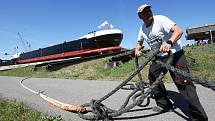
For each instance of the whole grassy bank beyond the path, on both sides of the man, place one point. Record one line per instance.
(95, 69)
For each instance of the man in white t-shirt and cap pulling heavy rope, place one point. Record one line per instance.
(164, 35)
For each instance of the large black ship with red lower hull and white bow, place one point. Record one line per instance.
(93, 43)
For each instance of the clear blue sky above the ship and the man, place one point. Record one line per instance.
(47, 22)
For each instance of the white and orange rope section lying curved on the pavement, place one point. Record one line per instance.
(64, 106)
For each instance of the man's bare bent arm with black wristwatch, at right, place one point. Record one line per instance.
(176, 35)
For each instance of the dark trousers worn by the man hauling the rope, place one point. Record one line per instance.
(184, 85)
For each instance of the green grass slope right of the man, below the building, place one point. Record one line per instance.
(205, 61)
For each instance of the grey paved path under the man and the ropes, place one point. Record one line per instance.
(78, 92)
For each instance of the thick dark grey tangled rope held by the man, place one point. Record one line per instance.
(138, 101)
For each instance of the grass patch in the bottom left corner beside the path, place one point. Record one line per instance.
(17, 111)
